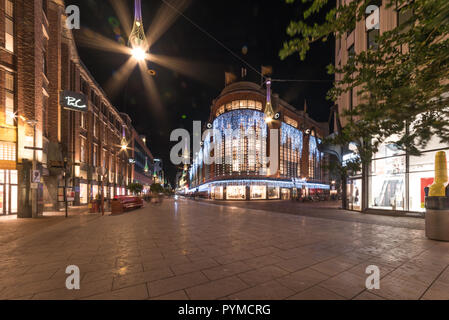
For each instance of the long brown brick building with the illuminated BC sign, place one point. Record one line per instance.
(39, 136)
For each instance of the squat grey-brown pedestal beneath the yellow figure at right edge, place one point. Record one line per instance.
(437, 218)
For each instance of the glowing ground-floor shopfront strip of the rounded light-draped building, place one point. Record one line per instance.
(260, 190)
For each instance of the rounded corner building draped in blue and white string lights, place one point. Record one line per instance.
(241, 172)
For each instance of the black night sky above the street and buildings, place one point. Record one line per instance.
(258, 25)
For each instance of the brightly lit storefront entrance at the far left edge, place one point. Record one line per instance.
(8, 192)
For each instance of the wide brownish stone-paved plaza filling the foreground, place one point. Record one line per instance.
(199, 250)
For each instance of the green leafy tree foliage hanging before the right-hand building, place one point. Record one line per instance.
(402, 82)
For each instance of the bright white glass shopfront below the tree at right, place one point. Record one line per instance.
(395, 181)
